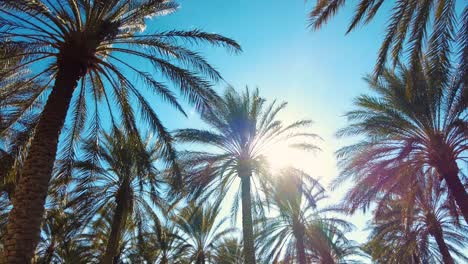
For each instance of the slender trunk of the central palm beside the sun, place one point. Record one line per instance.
(247, 226)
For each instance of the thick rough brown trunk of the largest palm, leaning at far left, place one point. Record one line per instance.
(23, 229)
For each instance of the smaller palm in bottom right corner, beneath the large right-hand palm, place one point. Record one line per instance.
(410, 214)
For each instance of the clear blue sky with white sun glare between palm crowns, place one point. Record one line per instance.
(317, 73)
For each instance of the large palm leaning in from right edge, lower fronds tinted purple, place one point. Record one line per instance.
(406, 126)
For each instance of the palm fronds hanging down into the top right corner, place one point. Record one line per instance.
(410, 24)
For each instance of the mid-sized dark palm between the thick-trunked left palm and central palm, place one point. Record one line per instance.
(127, 184)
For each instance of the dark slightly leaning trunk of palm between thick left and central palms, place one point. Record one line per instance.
(118, 223)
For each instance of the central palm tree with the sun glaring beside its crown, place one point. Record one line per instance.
(242, 128)
